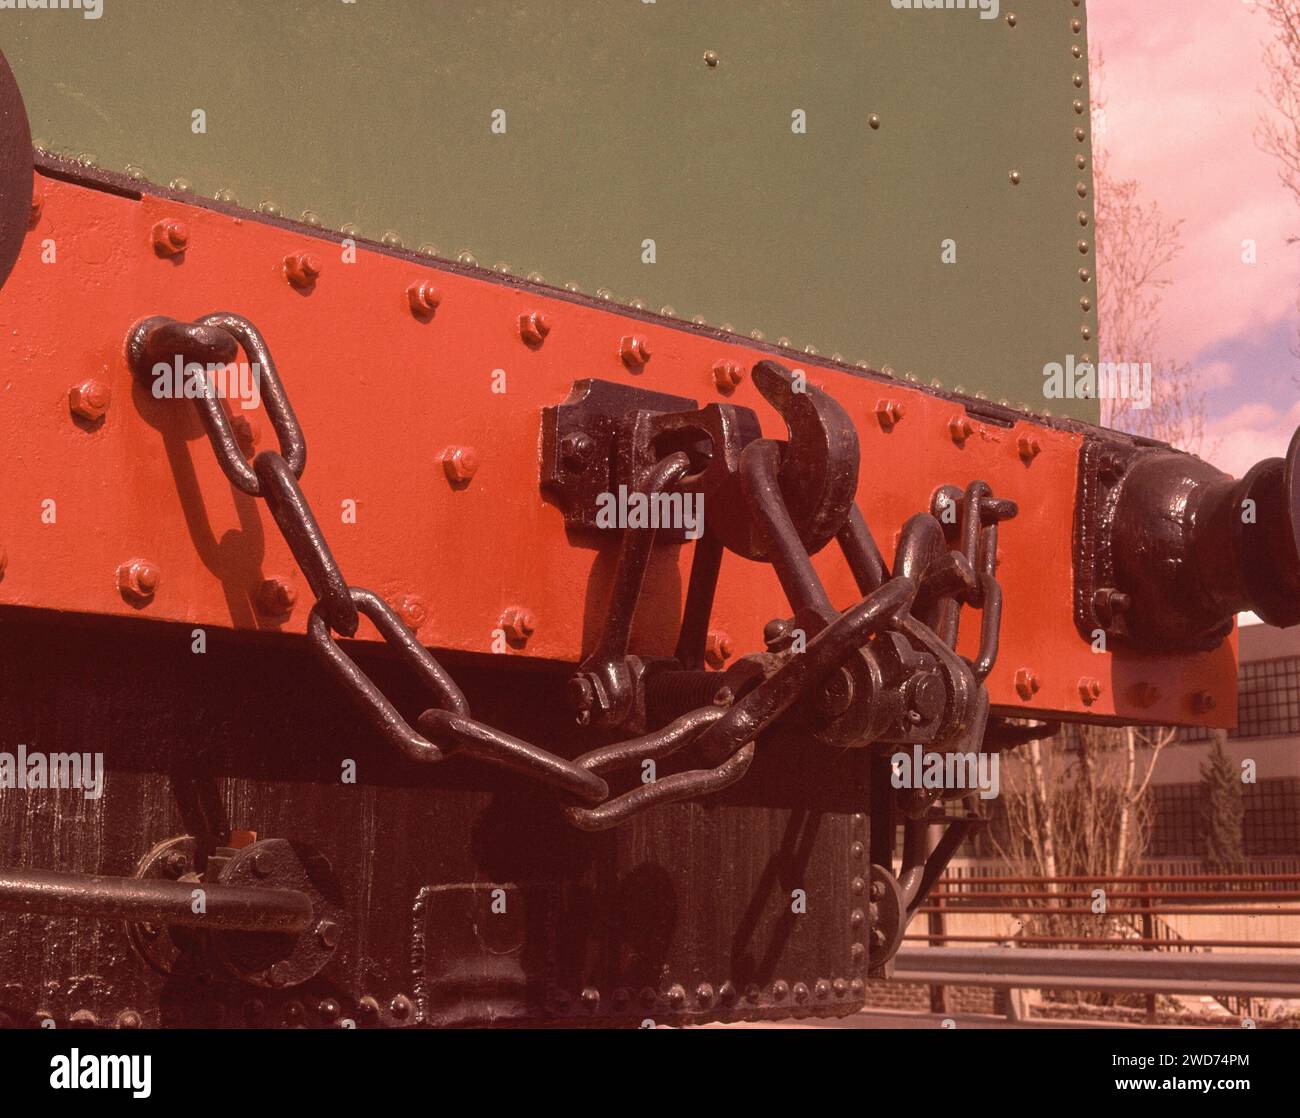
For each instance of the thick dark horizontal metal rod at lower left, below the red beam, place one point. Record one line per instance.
(226, 908)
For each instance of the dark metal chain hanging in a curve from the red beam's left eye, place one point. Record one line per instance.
(275, 478)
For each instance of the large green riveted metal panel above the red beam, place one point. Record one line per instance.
(619, 131)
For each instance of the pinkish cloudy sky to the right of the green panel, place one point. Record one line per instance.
(1185, 89)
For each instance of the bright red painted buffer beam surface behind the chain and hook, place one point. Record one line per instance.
(382, 395)
